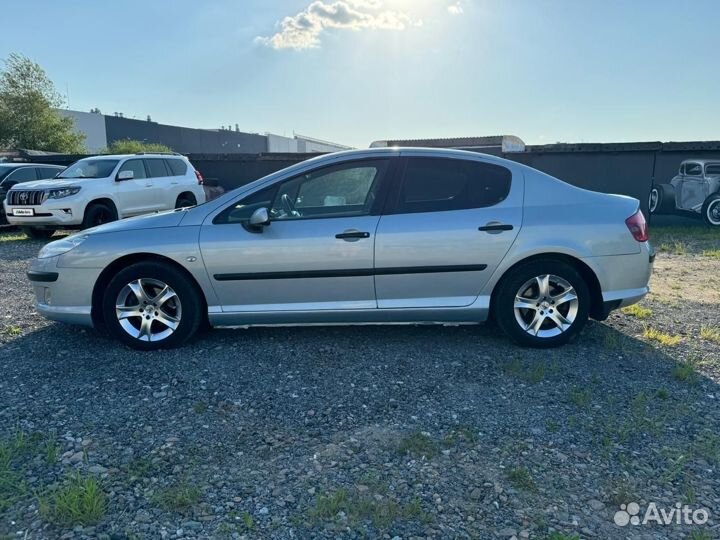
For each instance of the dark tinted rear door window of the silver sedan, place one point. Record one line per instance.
(437, 185)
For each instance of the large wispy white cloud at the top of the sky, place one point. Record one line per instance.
(303, 30)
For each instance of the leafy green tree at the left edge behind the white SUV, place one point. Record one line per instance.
(28, 115)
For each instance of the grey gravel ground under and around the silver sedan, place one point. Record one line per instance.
(379, 432)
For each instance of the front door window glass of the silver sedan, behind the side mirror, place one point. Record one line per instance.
(344, 190)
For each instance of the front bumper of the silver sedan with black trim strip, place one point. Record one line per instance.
(63, 294)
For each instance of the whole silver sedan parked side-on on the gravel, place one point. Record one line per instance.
(360, 237)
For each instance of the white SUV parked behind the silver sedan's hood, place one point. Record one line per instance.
(96, 190)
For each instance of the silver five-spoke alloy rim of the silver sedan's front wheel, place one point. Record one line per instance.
(148, 309)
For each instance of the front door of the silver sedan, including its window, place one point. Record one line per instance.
(317, 251)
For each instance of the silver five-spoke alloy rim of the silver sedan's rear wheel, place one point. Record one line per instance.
(546, 306)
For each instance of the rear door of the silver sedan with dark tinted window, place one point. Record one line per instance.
(449, 224)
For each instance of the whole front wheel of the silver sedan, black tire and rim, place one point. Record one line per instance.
(151, 305)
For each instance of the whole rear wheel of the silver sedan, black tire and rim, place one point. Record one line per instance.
(557, 301)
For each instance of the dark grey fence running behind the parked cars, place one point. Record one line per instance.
(624, 168)
